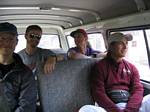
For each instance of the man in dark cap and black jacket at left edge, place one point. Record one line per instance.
(17, 84)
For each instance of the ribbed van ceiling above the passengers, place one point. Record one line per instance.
(67, 13)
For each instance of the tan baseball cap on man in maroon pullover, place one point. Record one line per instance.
(115, 37)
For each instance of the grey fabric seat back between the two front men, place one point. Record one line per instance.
(67, 88)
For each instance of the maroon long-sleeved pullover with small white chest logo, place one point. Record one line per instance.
(109, 75)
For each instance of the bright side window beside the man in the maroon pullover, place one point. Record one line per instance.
(137, 53)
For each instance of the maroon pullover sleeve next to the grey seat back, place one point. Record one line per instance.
(98, 90)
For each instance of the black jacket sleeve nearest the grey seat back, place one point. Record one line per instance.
(28, 93)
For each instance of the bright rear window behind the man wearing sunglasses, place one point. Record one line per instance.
(46, 42)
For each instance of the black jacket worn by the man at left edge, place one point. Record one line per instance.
(18, 90)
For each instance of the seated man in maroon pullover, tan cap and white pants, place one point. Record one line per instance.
(115, 82)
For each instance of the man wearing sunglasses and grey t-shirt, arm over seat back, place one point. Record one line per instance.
(32, 54)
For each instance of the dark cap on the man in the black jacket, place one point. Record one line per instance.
(8, 27)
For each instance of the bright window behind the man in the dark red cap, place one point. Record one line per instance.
(95, 39)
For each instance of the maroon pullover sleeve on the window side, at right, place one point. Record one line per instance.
(136, 90)
